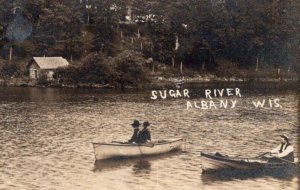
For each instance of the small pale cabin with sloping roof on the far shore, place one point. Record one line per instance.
(39, 66)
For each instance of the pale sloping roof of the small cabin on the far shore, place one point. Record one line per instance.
(50, 62)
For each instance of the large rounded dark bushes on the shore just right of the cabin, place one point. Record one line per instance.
(127, 69)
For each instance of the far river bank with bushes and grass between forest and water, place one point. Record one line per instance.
(130, 69)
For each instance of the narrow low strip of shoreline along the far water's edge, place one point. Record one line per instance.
(156, 82)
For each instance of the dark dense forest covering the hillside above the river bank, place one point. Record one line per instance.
(240, 31)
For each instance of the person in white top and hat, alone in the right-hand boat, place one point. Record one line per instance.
(283, 152)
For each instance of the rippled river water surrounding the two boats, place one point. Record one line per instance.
(46, 137)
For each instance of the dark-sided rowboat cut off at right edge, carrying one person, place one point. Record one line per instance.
(212, 162)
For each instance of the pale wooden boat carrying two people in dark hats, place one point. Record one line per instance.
(118, 150)
